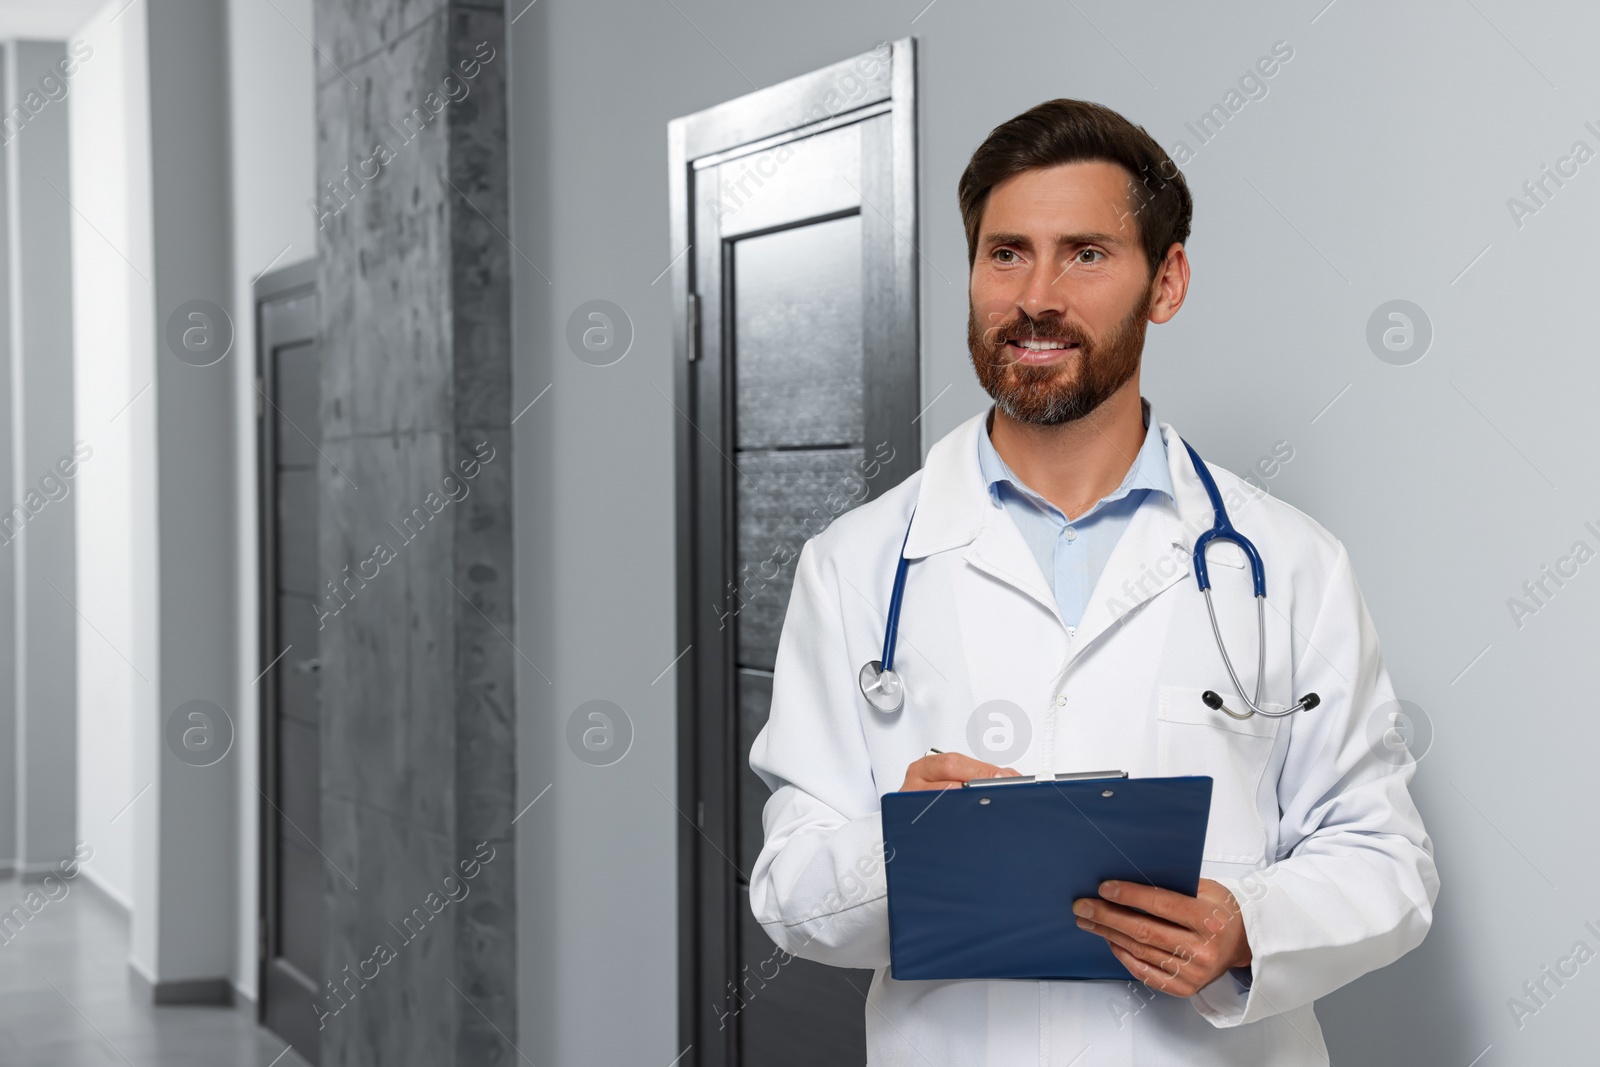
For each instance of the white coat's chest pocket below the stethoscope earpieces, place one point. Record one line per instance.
(1196, 740)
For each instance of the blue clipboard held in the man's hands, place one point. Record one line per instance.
(982, 879)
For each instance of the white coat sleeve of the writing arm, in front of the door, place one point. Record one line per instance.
(818, 887)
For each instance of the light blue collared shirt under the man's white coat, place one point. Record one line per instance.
(1073, 554)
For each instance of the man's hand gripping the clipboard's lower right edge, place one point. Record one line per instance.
(1174, 943)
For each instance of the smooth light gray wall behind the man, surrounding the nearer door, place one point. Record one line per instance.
(1377, 167)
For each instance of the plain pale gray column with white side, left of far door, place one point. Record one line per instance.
(185, 857)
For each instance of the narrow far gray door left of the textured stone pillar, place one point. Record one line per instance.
(292, 868)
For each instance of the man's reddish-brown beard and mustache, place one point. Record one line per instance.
(1065, 391)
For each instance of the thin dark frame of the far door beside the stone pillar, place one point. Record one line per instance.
(282, 284)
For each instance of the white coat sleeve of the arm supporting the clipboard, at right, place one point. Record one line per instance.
(1358, 884)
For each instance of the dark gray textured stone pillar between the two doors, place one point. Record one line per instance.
(420, 665)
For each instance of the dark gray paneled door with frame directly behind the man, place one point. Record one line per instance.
(802, 388)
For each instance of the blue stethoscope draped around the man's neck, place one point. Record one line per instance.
(884, 689)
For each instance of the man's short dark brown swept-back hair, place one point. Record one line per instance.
(1074, 132)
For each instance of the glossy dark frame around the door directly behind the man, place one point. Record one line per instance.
(705, 794)
